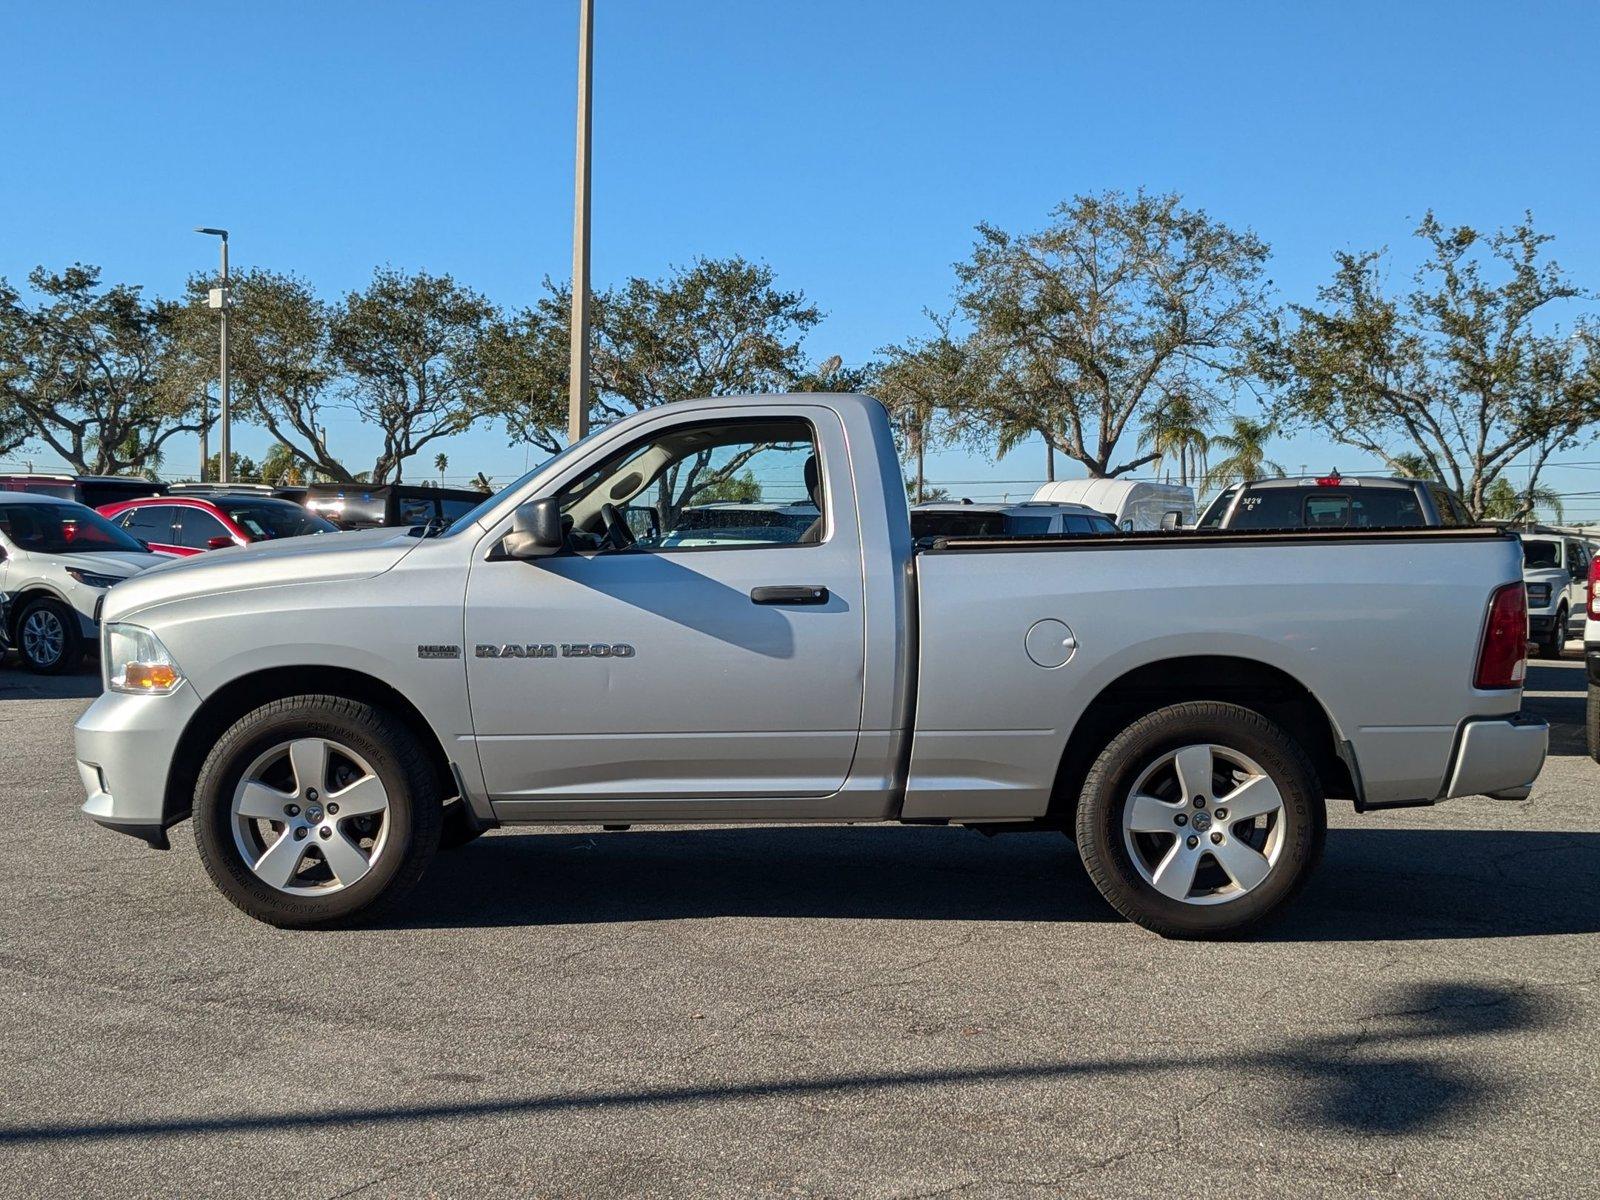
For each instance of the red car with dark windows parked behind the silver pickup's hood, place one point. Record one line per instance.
(191, 524)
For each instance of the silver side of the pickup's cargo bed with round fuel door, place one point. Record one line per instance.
(1378, 628)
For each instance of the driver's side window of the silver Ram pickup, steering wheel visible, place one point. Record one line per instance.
(719, 486)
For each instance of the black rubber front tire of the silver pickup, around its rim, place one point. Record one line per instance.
(396, 759)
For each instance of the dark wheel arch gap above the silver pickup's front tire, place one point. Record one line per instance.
(231, 702)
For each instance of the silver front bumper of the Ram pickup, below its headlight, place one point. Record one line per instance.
(126, 750)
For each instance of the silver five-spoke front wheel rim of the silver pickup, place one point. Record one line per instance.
(311, 817)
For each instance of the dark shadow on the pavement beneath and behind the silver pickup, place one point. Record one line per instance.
(1374, 884)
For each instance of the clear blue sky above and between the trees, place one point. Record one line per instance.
(854, 146)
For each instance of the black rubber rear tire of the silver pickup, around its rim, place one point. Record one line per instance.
(1106, 790)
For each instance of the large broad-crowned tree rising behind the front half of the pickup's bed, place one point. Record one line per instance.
(1118, 308)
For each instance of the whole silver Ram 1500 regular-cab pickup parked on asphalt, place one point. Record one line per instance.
(591, 647)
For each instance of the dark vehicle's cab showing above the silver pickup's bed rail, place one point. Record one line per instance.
(1335, 502)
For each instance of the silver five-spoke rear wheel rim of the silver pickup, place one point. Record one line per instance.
(1204, 825)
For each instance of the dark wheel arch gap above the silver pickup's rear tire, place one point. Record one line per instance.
(1246, 682)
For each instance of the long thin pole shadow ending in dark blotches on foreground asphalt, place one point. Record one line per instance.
(1394, 1070)
